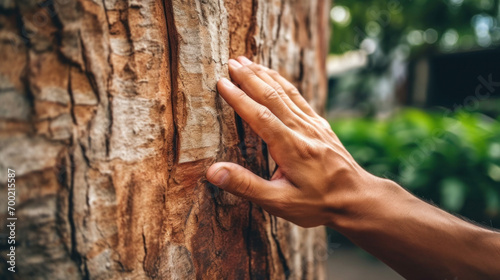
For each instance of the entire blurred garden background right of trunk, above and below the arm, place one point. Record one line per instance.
(414, 95)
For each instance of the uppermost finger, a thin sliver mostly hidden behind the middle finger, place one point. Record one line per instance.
(261, 72)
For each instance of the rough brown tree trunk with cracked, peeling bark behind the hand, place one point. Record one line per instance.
(110, 116)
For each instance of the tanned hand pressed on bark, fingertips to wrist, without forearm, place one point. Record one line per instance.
(316, 177)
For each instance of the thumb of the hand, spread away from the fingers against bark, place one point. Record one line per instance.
(239, 181)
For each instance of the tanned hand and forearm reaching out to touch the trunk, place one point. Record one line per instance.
(319, 183)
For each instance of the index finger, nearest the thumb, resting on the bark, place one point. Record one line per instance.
(260, 118)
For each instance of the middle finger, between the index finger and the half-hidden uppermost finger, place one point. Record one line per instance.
(259, 90)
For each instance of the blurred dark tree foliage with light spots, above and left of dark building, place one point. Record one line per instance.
(397, 33)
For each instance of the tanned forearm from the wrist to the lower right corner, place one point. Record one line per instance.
(417, 239)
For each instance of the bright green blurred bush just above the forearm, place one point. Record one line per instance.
(451, 159)
